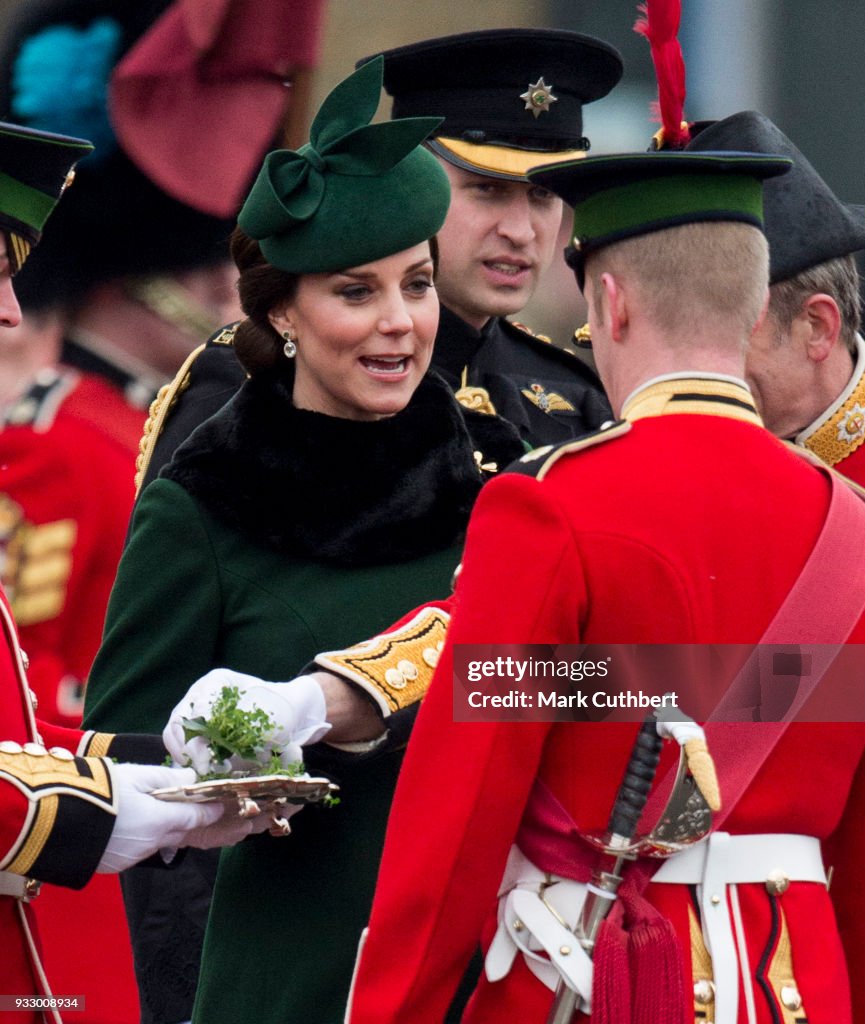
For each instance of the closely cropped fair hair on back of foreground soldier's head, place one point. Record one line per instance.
(715, 272)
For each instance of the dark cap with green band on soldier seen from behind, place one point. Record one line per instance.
(624, 196)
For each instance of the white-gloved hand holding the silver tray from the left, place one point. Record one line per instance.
(145, 825)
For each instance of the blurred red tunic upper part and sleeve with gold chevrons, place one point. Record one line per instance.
(67, 489)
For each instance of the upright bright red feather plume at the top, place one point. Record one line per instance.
(661, 27)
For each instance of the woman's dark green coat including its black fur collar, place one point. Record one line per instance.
(274, 535)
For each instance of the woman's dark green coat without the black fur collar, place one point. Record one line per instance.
(287, 914)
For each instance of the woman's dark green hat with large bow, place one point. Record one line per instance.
(356, 193)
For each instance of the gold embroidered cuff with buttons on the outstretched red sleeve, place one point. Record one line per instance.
(395, 669)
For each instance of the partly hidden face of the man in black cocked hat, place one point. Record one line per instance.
(781, 376)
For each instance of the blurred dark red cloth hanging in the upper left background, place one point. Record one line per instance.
(204, 94)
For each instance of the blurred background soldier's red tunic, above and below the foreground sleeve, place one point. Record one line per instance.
(67, 485)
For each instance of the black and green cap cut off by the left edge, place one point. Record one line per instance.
(35, 168)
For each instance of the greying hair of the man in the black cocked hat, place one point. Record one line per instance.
(838, 278)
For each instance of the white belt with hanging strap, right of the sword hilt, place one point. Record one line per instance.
(729, 861)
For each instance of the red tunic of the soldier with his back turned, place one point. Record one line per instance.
(688, 528)
